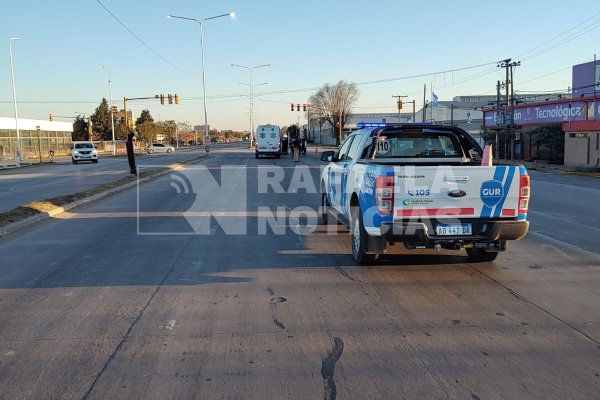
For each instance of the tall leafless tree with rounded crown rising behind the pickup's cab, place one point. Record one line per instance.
(333, 103)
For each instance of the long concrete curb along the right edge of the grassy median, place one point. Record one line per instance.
(14, 226)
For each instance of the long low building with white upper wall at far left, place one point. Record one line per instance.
(53, 135)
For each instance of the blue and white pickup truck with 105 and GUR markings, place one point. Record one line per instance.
(422, 185)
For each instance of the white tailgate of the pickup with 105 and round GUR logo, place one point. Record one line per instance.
(456, 192)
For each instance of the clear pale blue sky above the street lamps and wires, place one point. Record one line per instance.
(58, 64)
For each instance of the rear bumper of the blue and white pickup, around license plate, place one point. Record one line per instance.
(482, 231)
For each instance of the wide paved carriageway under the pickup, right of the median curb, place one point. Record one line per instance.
(255, 303)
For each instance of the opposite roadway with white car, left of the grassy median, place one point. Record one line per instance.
(21, 186)
